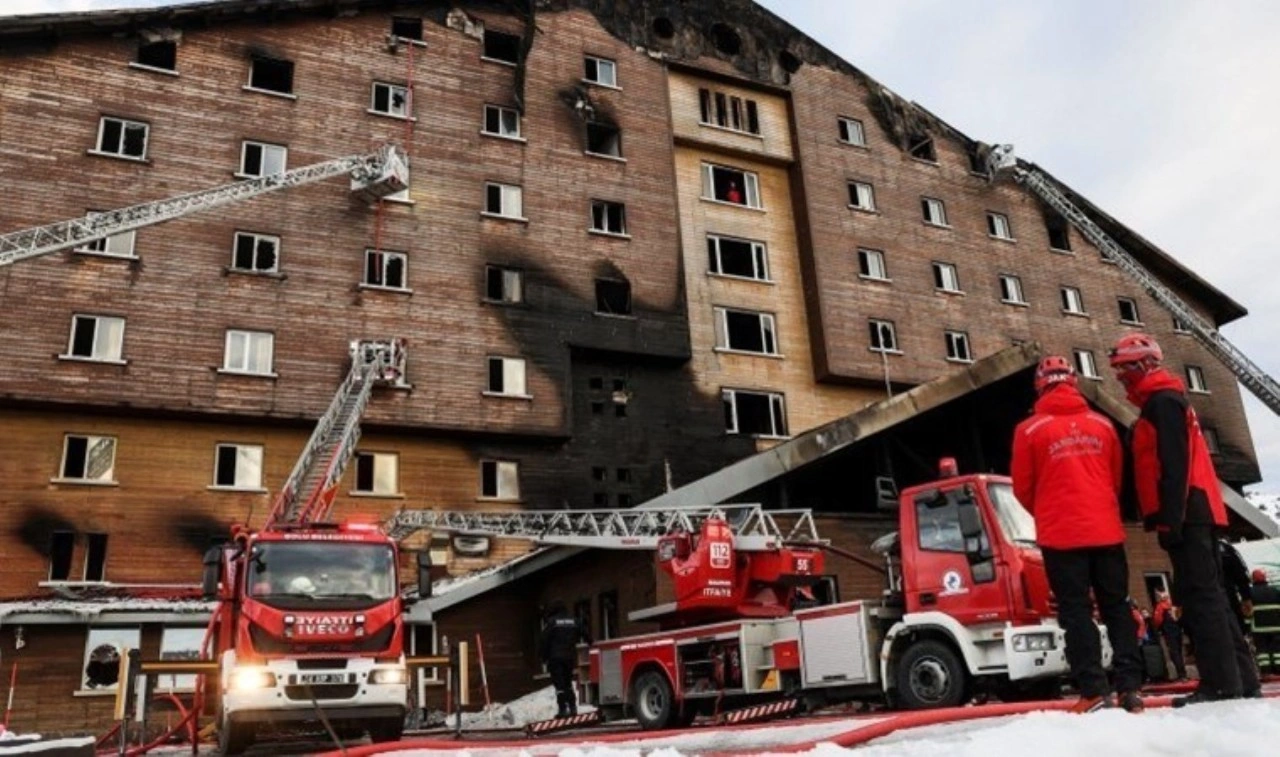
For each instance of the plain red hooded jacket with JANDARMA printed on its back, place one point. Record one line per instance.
(1068, 468)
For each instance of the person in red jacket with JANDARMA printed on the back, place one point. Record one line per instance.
(1068, 467)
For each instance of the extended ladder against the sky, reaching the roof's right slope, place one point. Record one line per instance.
(1249, 373)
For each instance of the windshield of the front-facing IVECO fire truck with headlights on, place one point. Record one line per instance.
(322, 574)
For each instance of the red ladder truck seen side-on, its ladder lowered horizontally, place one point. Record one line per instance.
(966, 606)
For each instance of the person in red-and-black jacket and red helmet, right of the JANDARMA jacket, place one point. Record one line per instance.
(1180, 499)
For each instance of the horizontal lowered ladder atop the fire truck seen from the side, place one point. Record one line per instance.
(755, 528)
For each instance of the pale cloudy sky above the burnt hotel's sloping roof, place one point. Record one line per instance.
(1162, 112)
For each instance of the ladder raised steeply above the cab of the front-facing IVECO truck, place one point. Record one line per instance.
(308, 494)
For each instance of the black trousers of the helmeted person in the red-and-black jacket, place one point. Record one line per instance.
(1222, 654)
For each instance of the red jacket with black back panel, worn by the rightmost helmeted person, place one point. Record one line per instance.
(1173, 473)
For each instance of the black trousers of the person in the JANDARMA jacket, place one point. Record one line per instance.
(1104, 571)
